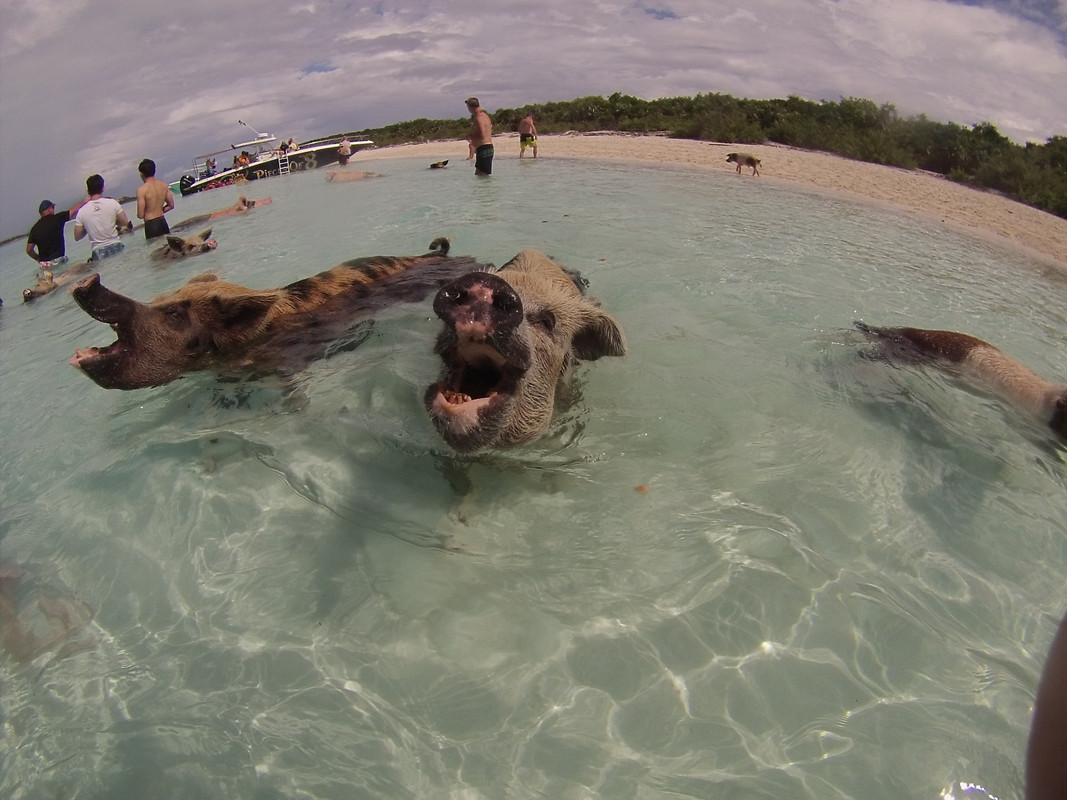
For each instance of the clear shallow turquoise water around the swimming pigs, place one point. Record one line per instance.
(840, 582)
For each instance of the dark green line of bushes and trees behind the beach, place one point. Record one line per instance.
(978, 156)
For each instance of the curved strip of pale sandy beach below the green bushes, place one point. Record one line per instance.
(978, 213)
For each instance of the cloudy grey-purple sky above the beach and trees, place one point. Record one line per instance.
(95, 87)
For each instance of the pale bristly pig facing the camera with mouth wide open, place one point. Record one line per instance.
(507, 346)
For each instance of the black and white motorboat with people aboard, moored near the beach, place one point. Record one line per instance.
(261, 158)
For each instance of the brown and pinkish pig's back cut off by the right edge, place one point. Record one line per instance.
(980, 364)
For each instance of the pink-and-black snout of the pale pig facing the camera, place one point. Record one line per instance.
(480, 306)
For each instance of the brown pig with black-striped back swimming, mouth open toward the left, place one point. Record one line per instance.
(213, 325)
